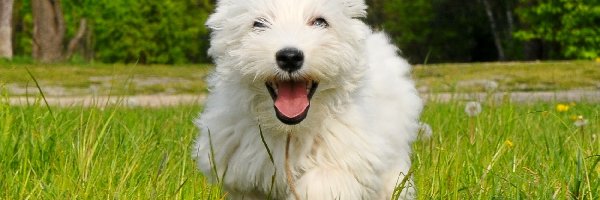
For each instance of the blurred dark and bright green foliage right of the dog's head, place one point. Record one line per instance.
(459, 30)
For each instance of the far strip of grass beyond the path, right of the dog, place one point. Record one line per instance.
(511, 76)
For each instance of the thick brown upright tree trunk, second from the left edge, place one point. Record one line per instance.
(48, 30)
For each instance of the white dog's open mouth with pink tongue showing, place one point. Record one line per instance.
(292, 99)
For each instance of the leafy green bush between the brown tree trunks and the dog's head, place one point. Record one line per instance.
(149, 31)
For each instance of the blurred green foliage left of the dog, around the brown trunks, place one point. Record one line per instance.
(130, 31)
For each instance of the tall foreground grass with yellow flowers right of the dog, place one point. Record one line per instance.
(520, 152)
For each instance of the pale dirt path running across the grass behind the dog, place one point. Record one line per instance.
(172, 100)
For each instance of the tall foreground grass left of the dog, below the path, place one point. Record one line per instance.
(93, 153)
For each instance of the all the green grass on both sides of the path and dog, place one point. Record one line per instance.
(520, 151)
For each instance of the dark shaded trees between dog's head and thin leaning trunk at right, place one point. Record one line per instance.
(431, 31)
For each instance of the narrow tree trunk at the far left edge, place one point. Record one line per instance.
(6, 8)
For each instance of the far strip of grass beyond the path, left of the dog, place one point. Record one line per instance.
(104, 79)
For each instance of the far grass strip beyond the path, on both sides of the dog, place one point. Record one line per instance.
(102, 79)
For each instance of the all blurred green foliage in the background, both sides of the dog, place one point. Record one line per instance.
(426, 31)
